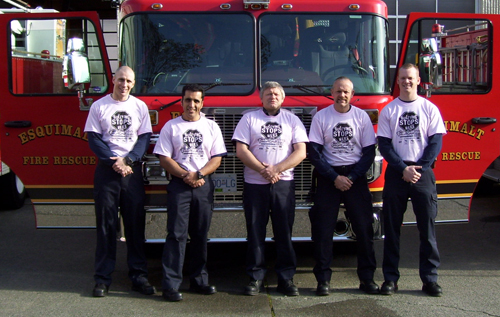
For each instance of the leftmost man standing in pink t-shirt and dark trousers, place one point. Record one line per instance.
(119, 129)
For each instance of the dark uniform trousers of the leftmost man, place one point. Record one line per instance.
(111, 190)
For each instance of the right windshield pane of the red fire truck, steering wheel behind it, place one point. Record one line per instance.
(306, 52)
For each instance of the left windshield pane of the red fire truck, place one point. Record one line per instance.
(169, 50)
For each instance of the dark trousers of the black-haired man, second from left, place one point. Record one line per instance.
(189, 212)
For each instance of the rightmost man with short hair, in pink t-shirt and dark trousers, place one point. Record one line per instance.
(410, 132)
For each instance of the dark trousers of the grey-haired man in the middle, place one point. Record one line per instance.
(278, 202)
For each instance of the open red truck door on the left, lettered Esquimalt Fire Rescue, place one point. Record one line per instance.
(42, 122)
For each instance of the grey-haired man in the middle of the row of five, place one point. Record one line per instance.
(270, 142)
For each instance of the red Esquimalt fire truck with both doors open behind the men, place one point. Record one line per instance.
(231, 48)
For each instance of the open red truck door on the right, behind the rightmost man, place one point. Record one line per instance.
(457, 70)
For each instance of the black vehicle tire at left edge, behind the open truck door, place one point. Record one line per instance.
(12, 192)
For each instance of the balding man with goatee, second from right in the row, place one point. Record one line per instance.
(342, 148)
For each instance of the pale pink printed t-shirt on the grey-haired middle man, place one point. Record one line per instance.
(270, 139)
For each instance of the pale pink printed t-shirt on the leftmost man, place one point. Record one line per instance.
(119, 122)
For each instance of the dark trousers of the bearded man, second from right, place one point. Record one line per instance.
(323, 216)
